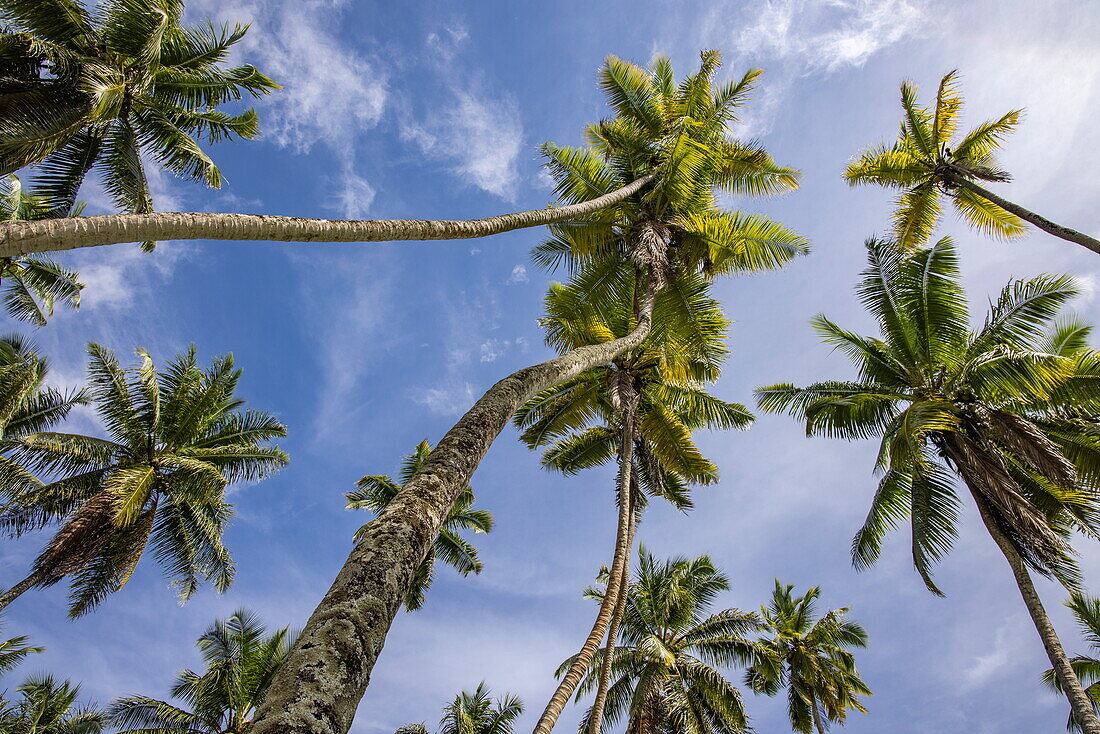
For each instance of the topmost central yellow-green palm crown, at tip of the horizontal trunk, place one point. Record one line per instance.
(680, 135)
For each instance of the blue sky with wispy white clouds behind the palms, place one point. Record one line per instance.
(436, 111)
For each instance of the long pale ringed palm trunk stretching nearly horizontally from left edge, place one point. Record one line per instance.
(70, 234)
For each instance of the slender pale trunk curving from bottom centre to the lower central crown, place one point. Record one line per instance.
(624, 541)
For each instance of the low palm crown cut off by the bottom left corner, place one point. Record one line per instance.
(49, 707)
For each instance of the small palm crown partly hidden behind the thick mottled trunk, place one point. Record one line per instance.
(377, 491)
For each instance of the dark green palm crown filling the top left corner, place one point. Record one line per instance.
(105, 89)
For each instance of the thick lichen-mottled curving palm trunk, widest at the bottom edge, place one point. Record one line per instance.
(318, 688)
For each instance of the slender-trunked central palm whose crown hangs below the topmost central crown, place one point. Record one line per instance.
(643, 407)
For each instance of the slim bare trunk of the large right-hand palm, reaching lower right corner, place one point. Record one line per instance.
(1079, 700)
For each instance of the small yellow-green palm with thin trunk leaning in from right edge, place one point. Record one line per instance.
(927, 166)
